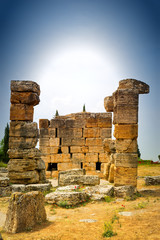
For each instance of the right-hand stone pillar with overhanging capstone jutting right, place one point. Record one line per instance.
(124, 104)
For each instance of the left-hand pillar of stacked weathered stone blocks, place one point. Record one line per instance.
(25, 165)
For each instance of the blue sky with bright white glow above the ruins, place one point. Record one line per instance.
(78, 50)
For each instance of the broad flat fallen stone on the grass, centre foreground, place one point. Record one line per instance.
(67, 198)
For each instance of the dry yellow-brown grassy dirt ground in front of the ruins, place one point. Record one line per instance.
(65, 224)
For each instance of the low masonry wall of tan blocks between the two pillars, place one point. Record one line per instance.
(75, 141)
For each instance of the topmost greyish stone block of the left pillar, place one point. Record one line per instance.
(25, 86)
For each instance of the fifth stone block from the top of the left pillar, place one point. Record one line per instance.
(22, 142)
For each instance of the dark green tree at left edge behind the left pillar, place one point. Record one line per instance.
(4, 145)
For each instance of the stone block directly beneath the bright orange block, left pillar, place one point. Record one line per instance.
(23, 129)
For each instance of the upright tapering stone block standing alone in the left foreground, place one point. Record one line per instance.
(25, 211)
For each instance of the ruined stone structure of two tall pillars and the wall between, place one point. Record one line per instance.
(75, 141)
